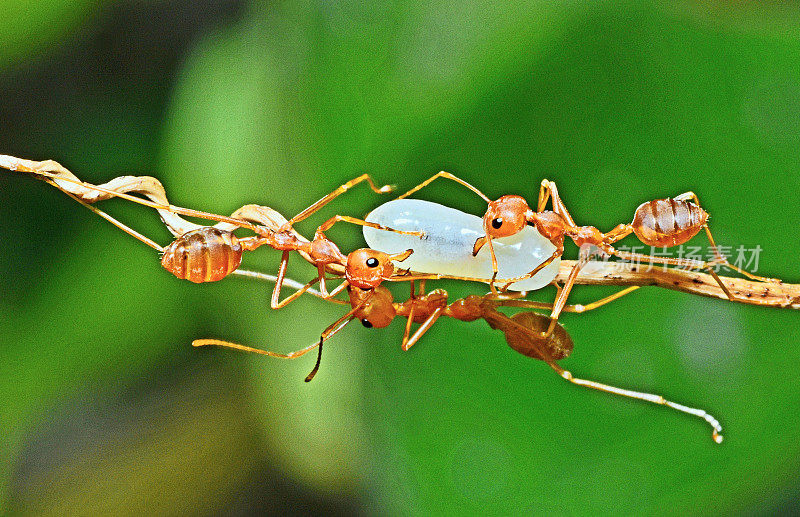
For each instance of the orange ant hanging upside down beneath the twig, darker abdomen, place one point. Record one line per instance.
(525, 332)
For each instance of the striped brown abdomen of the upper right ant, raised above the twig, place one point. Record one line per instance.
(668, 222)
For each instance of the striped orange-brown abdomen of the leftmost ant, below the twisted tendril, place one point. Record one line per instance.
(207, 254)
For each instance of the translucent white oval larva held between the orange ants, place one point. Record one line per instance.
(449, 238)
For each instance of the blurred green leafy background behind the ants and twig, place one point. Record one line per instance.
(107, 409)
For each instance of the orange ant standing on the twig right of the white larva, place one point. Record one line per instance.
(663, 222)
